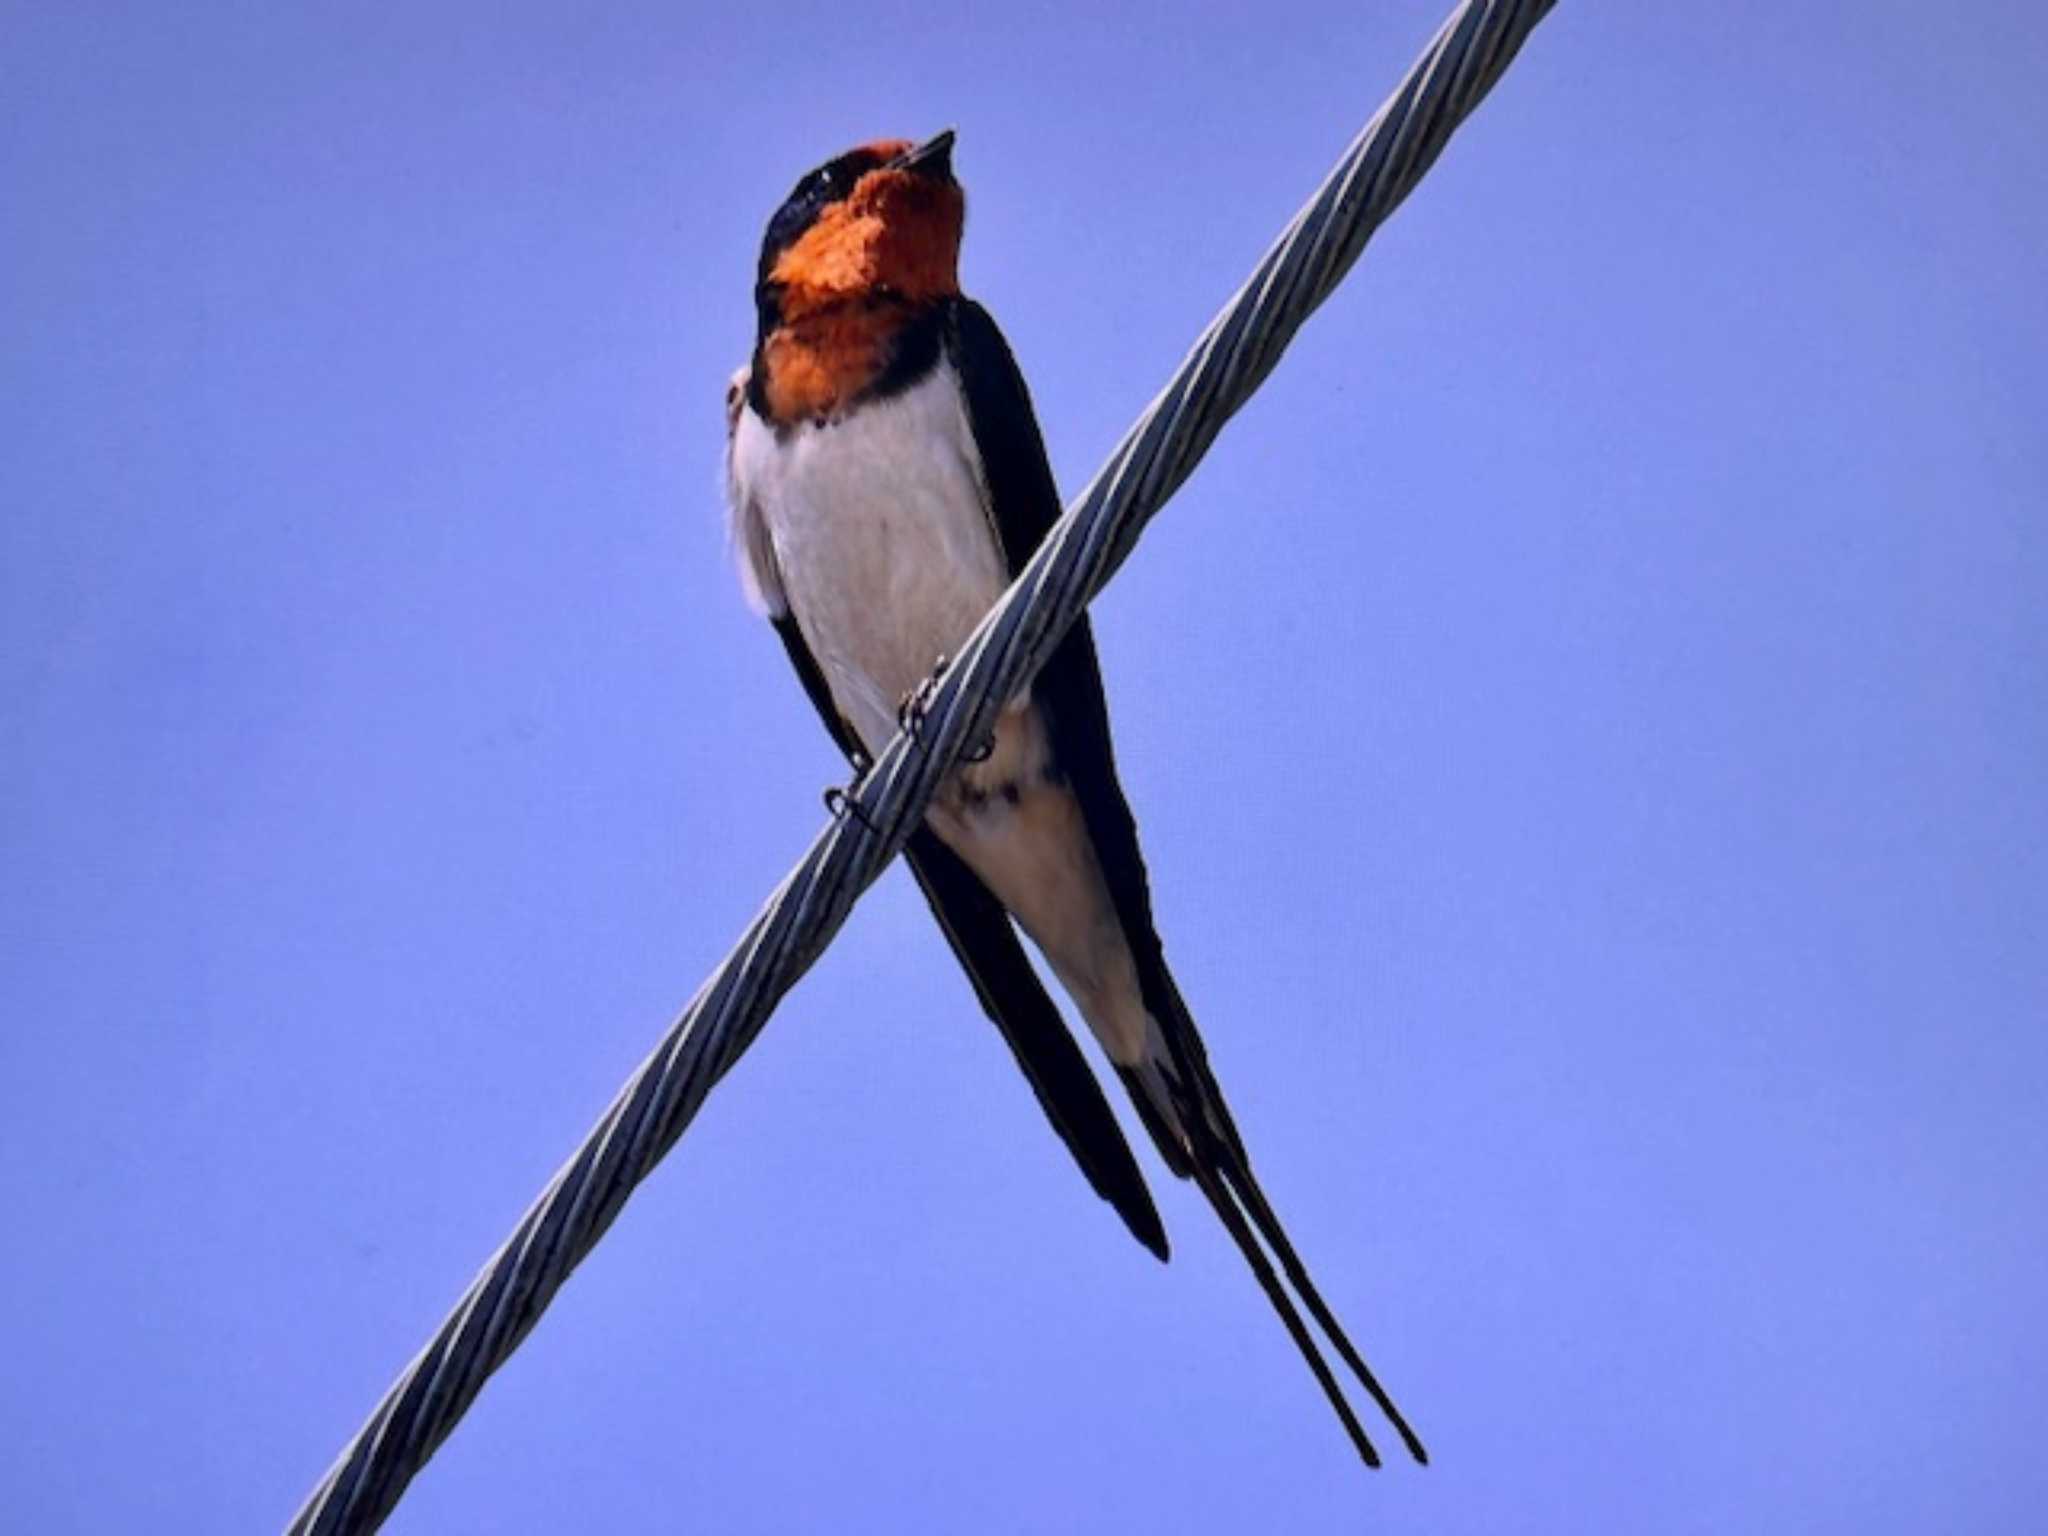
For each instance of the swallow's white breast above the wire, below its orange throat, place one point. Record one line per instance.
(882, 540)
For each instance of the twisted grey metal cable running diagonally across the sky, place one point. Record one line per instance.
(1078, 558)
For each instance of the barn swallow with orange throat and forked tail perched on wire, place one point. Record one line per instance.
(888, 482)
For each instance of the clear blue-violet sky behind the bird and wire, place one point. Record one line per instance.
(1588, 720)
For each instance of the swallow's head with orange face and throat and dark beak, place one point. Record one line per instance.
(882, 222)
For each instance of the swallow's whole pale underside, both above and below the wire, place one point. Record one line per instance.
(886, 554)
